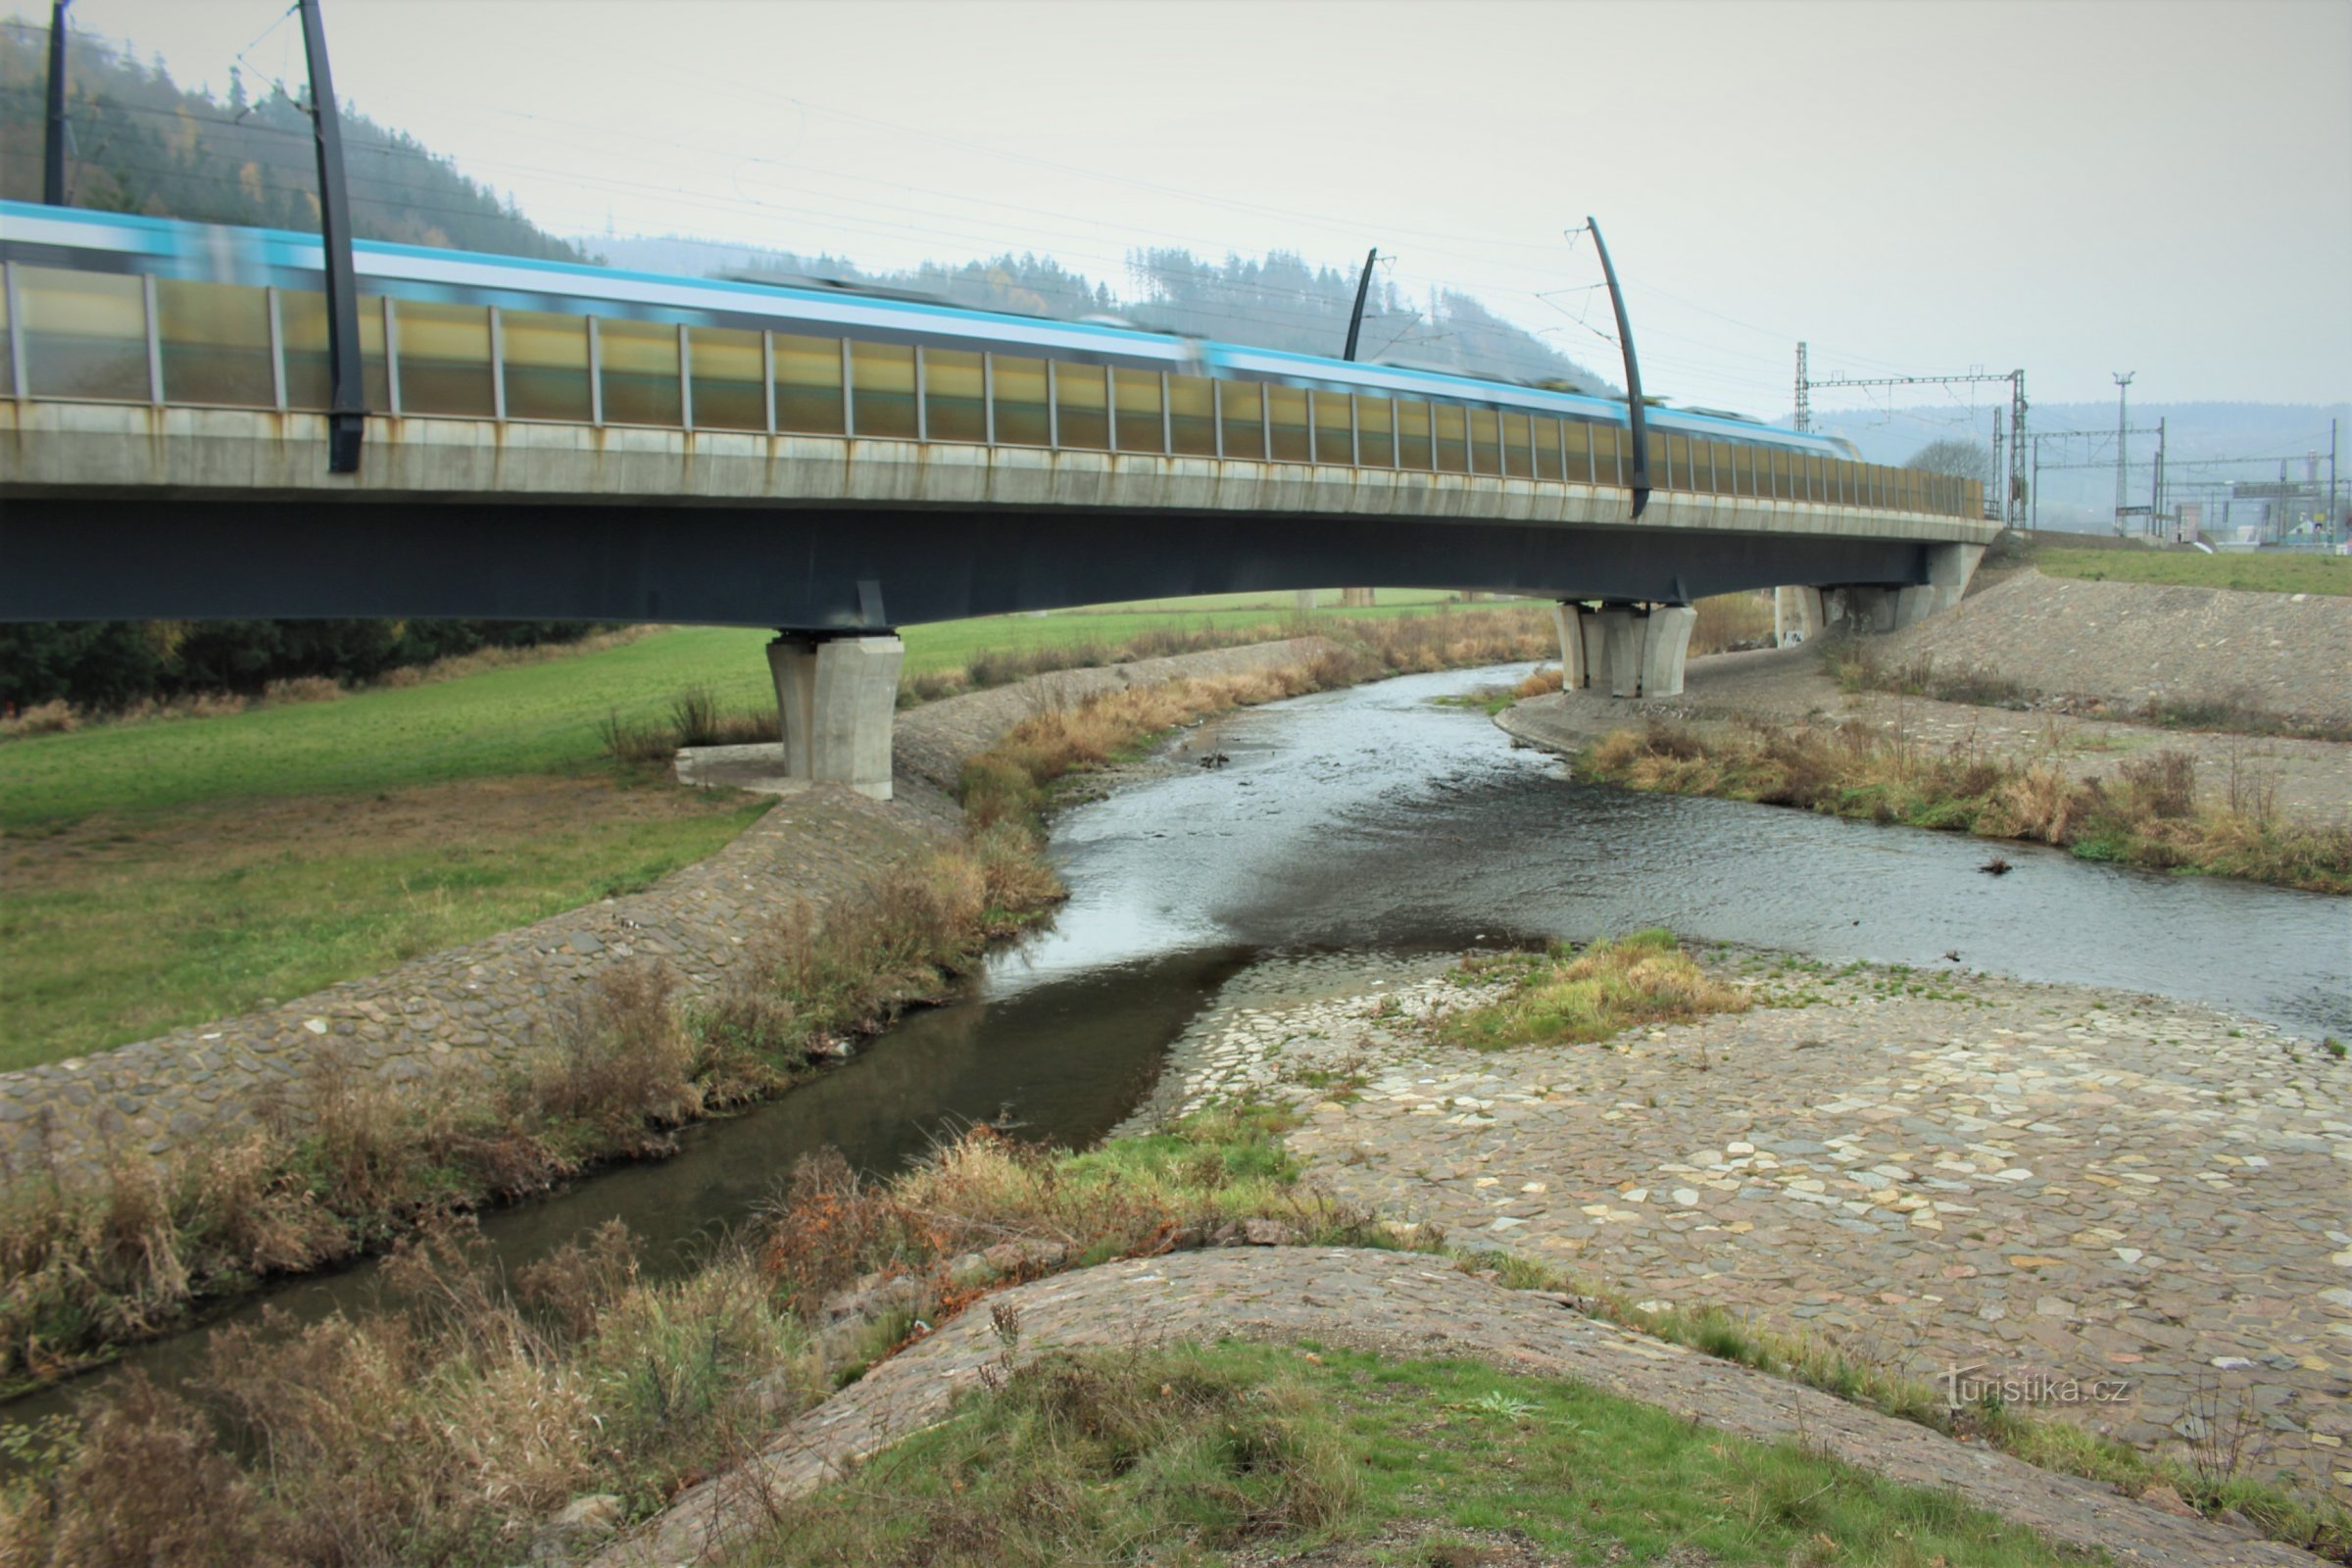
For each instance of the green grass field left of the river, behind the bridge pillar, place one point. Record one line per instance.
(175, 871)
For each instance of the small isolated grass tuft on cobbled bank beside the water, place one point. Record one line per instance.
(1577, 998)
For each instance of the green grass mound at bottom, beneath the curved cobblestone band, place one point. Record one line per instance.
(1347, 1459)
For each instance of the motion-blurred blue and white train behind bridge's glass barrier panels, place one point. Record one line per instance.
(234, 316)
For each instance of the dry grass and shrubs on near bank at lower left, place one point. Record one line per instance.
(455, 1423)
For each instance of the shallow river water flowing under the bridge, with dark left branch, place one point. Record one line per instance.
(1377, 819)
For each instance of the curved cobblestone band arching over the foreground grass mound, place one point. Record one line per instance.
(1401, 1306)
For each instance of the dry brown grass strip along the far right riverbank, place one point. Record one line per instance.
(2151, 815)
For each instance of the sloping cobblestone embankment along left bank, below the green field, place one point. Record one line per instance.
(486, 1005)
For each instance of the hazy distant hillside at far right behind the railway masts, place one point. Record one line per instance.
(2196, 438)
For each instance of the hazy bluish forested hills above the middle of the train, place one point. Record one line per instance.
(1278, 302)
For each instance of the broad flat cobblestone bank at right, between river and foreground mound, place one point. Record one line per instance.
(1937, 1172)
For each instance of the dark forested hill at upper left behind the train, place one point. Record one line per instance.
(145, 145)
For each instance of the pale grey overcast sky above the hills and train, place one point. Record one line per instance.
(1913, 187)
